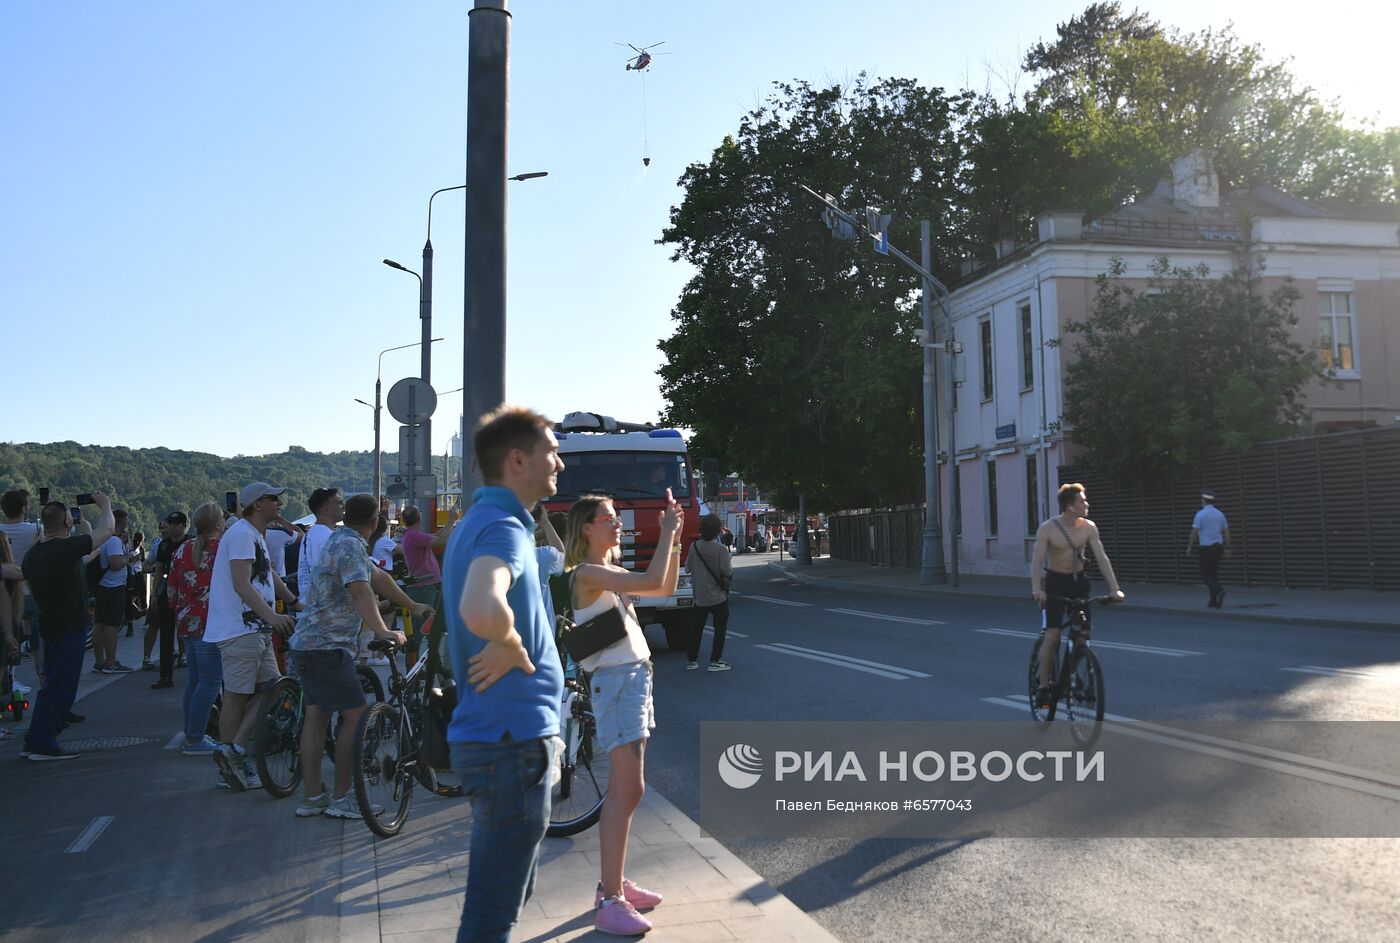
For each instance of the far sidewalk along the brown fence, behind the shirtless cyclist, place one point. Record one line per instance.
(1346, 609)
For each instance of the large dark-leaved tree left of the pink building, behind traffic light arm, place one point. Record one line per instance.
(793, 357)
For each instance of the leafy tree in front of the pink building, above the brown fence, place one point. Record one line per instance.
(1157, 378)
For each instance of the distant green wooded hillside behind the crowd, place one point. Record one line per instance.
(150, 483)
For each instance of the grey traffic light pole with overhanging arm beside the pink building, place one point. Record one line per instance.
(932, 569)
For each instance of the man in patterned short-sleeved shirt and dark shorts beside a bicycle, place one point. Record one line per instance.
(324, 650)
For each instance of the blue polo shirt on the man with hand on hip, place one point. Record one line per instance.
(524, 706)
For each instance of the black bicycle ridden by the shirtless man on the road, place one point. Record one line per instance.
(1079, 678)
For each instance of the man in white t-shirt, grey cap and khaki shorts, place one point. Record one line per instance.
(243, 593)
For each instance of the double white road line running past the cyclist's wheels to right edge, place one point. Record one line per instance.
(1294, 765)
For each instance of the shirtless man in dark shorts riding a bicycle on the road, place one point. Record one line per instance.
(1062, 549)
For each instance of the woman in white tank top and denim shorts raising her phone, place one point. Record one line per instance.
(621, 682)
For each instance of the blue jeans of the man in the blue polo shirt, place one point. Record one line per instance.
(509, 788)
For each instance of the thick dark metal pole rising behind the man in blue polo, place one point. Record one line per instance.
(488, 115)
